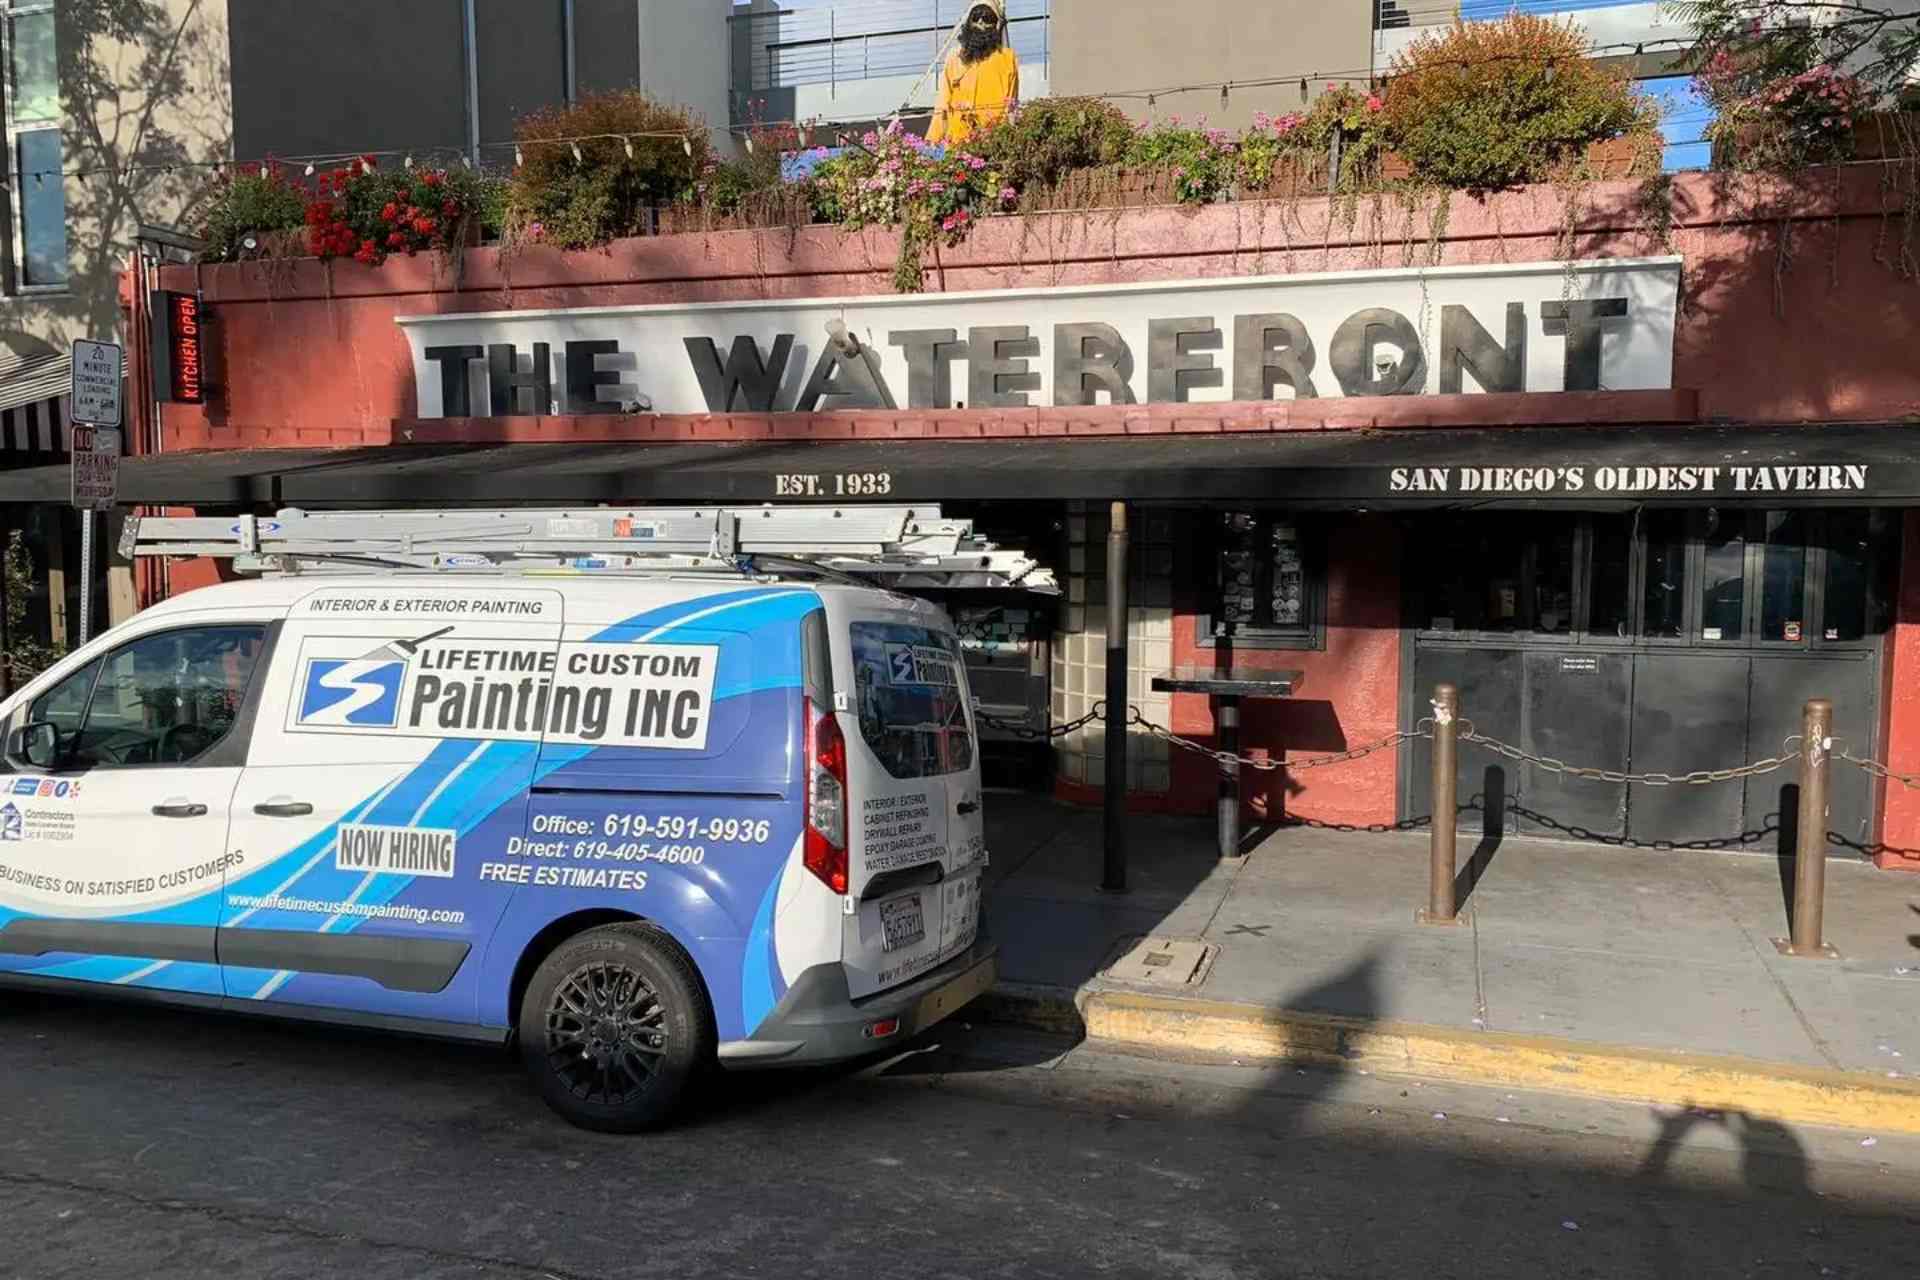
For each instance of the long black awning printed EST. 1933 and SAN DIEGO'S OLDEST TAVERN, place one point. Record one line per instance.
(1581, 467)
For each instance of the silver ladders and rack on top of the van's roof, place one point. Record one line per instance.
(892, 546)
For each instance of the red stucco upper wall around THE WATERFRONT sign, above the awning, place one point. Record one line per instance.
(310, 354)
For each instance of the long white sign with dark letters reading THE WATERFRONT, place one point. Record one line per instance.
(1547, 327)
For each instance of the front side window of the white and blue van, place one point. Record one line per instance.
(162, 699)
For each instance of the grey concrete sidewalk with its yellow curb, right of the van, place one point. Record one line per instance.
(1616, 972)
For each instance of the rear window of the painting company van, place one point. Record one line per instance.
(911, 699)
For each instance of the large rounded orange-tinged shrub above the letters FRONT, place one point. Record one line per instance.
(1483, 107)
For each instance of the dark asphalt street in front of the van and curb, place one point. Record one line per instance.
(149, 1143)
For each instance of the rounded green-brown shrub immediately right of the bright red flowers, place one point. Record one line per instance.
(577, 204)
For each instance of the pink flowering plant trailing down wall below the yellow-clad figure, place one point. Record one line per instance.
(900, 179)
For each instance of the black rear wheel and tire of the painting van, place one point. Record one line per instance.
(627, 999)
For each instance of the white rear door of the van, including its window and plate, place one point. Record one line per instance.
(913, 805)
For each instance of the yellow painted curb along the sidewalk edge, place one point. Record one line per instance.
(1779, 1091)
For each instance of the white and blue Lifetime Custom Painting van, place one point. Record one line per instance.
(636, 824)
